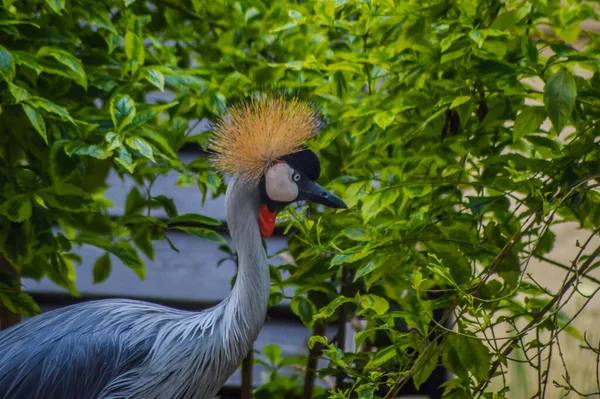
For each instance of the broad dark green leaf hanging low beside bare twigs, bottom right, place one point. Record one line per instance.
(473, 354)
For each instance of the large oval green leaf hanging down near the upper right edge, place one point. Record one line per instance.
(559, 98)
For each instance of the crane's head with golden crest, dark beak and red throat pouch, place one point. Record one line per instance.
(262, 141)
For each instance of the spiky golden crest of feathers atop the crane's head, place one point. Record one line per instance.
(252, 135)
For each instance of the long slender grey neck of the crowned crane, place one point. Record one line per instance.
(246, 306)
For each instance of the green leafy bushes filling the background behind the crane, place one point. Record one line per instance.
(455, 165)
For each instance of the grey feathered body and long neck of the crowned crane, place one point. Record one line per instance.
(117, 349)
